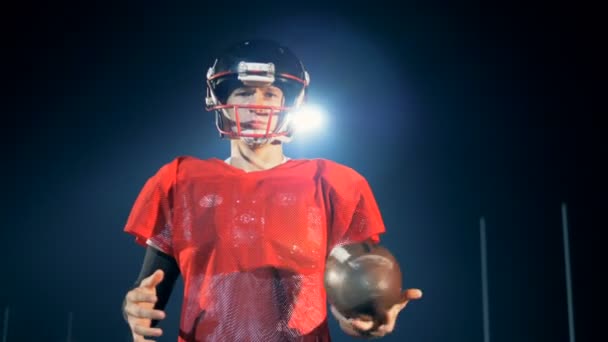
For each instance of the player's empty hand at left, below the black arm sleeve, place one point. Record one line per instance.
(139, 308)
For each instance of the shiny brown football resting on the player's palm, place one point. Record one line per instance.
(362, 280)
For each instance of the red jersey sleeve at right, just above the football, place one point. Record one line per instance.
(356, 216)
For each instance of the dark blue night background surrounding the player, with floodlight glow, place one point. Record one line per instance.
(452, 111)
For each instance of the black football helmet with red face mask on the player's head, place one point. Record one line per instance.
(256, 64)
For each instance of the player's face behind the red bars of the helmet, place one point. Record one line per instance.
(255, 120)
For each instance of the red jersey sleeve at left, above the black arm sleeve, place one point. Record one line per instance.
(150, 217)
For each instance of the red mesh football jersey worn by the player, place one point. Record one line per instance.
(252, 247)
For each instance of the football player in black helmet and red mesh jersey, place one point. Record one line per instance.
(250, 234)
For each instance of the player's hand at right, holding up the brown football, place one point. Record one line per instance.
(366, 328)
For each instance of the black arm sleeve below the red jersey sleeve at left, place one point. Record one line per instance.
(154, 260)
